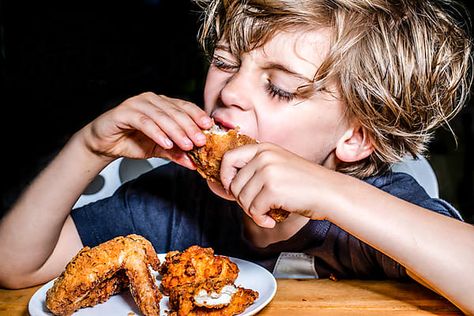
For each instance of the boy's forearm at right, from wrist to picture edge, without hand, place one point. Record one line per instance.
(435, 248)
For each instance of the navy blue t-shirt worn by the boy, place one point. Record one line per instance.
(173, 208)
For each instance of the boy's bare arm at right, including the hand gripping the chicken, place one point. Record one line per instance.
(436, 250)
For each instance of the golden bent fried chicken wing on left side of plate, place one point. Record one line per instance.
(95, 274)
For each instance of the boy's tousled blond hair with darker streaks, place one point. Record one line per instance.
(403, 67)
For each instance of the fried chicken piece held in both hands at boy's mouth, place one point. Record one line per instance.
(208, 157)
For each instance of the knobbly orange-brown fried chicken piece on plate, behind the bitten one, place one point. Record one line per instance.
(194, 266)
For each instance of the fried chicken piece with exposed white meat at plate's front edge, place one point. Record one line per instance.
(210, 298)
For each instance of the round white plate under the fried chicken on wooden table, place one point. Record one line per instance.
(251, 276)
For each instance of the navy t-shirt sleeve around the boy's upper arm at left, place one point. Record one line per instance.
(131, 209)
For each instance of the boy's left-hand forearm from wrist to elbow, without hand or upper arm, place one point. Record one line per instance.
(30, 231)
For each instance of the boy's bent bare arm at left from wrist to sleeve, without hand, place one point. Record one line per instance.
(38, 223)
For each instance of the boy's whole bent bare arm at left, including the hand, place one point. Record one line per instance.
(37, 236)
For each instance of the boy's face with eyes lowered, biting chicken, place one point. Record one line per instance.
(257, 93)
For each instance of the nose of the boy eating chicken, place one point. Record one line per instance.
(238, 91)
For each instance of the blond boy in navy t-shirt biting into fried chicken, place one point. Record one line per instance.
(333, 91)
